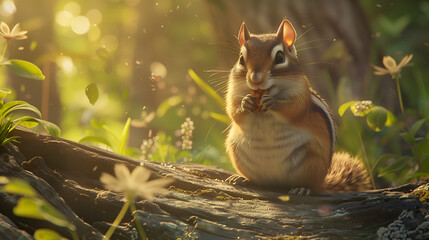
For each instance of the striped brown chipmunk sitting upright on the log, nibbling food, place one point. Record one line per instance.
(282, 133)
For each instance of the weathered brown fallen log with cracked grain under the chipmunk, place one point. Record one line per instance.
(199, 204)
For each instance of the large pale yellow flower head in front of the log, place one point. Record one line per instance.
(135, 183)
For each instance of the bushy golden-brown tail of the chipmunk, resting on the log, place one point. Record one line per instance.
(347, 174)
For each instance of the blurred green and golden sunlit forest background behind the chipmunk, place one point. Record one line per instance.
(138, 54)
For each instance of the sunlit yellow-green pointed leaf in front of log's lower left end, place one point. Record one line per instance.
(40, 209)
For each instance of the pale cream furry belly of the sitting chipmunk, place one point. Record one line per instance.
(269, 151)
